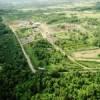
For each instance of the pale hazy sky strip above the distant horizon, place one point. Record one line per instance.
(17, 3)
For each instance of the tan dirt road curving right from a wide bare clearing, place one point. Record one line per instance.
(46, 34)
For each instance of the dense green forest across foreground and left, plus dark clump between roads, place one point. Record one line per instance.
(18, 83)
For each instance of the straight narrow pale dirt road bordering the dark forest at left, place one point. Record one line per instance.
(24, 52)
